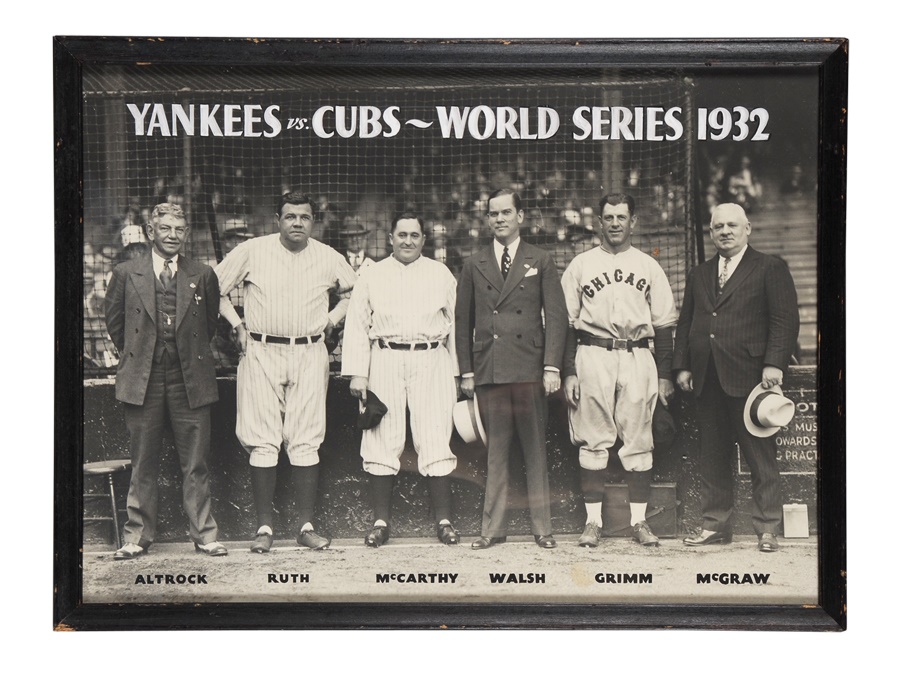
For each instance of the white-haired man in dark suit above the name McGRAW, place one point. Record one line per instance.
(738, 325)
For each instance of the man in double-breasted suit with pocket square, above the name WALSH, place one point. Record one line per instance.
(510, 358)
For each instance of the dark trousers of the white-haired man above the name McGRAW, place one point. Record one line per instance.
(721, 420)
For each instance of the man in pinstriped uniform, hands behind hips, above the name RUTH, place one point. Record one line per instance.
(283, 375)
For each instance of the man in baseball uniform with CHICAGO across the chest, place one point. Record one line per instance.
(617, 299)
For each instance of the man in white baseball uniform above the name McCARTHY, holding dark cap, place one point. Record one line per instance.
(399, 341)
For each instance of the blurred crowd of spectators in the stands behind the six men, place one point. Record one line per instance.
(453, 203)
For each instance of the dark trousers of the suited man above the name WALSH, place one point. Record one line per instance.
(511, 411)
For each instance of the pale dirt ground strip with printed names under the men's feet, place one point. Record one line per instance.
(422, 570)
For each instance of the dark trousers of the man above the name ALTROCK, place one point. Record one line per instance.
(166, 397)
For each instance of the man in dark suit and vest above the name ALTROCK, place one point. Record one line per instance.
(161, 312)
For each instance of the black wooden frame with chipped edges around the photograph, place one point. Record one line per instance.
(72, 54)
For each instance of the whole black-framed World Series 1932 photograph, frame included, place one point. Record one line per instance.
(464, 334)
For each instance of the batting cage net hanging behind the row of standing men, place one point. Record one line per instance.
(225, 144)
